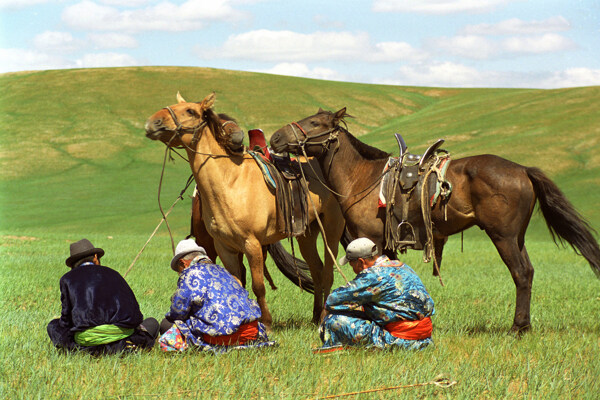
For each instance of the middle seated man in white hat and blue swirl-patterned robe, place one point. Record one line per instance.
(210, 309)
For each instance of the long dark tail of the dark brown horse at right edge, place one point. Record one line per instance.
(563, 220)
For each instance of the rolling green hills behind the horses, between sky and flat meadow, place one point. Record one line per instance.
(74, 157)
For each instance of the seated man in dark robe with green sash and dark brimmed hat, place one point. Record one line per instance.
(100, 314)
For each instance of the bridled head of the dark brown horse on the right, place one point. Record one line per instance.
(311, 135)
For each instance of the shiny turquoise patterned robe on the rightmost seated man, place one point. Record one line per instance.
(389, 291)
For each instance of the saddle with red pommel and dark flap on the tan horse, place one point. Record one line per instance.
(283, 175)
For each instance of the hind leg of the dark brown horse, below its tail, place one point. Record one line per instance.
(521, 270)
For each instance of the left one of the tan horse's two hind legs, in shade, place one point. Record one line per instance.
(308, 248)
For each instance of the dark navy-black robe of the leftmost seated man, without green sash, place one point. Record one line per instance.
(93, 295)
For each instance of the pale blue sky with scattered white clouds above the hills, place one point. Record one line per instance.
(445, 43)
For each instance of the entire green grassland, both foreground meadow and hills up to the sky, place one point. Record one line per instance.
(74, 163)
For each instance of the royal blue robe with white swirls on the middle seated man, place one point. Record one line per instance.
(210, 301)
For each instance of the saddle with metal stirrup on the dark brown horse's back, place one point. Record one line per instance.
(411, 187)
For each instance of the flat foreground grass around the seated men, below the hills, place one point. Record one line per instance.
(558, 359)
